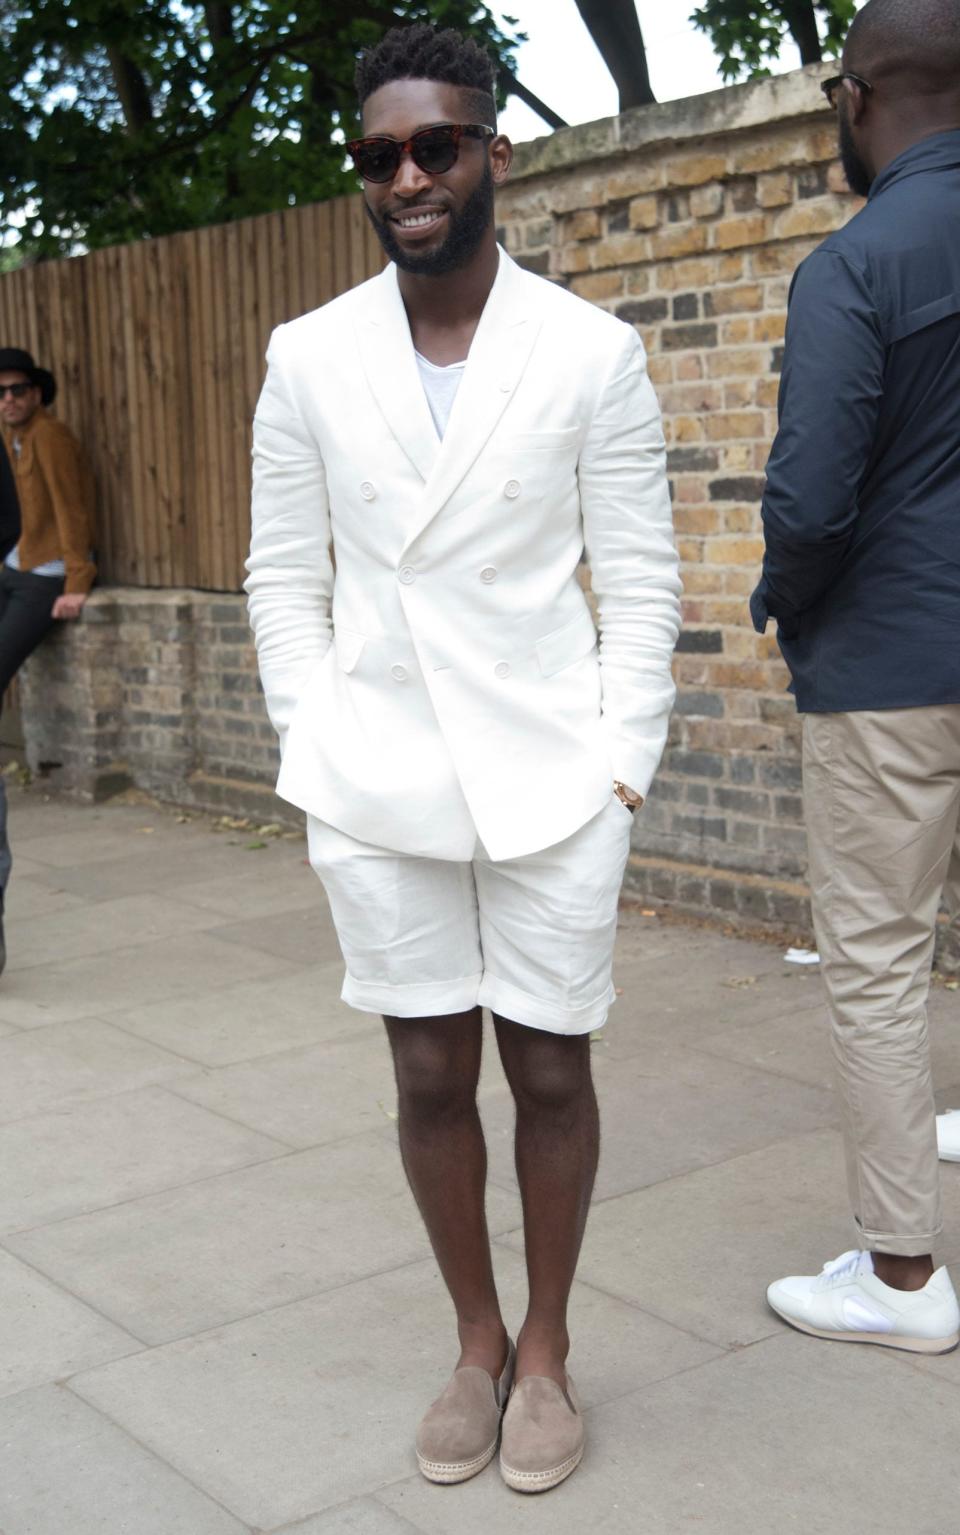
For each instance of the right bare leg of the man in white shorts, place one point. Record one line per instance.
(557, 1157)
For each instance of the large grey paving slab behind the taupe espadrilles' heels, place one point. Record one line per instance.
(311, 1405)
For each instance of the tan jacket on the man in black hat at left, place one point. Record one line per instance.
(56, 494)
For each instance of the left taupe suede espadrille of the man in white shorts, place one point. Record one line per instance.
(460, 1433)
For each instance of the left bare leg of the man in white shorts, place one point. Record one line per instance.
(437, 1063)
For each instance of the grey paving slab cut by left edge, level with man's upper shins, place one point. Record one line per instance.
(111, 1150)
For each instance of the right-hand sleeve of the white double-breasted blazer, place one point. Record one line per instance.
(634, 564)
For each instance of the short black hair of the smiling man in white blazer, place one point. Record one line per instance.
(426, 53)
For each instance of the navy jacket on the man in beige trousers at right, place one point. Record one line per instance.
(862, 501)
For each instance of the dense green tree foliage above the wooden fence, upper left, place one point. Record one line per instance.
(122, 119)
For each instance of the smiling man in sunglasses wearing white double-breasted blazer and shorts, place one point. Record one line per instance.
(460, 432)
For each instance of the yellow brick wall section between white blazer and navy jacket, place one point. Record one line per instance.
(689, 220)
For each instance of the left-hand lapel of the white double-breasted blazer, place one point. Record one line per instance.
(386, 352)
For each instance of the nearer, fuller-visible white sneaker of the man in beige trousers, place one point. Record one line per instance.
(849, 1302)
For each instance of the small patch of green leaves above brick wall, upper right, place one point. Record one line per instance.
(749, 35)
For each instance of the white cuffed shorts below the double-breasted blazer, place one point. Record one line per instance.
(531, 939)
